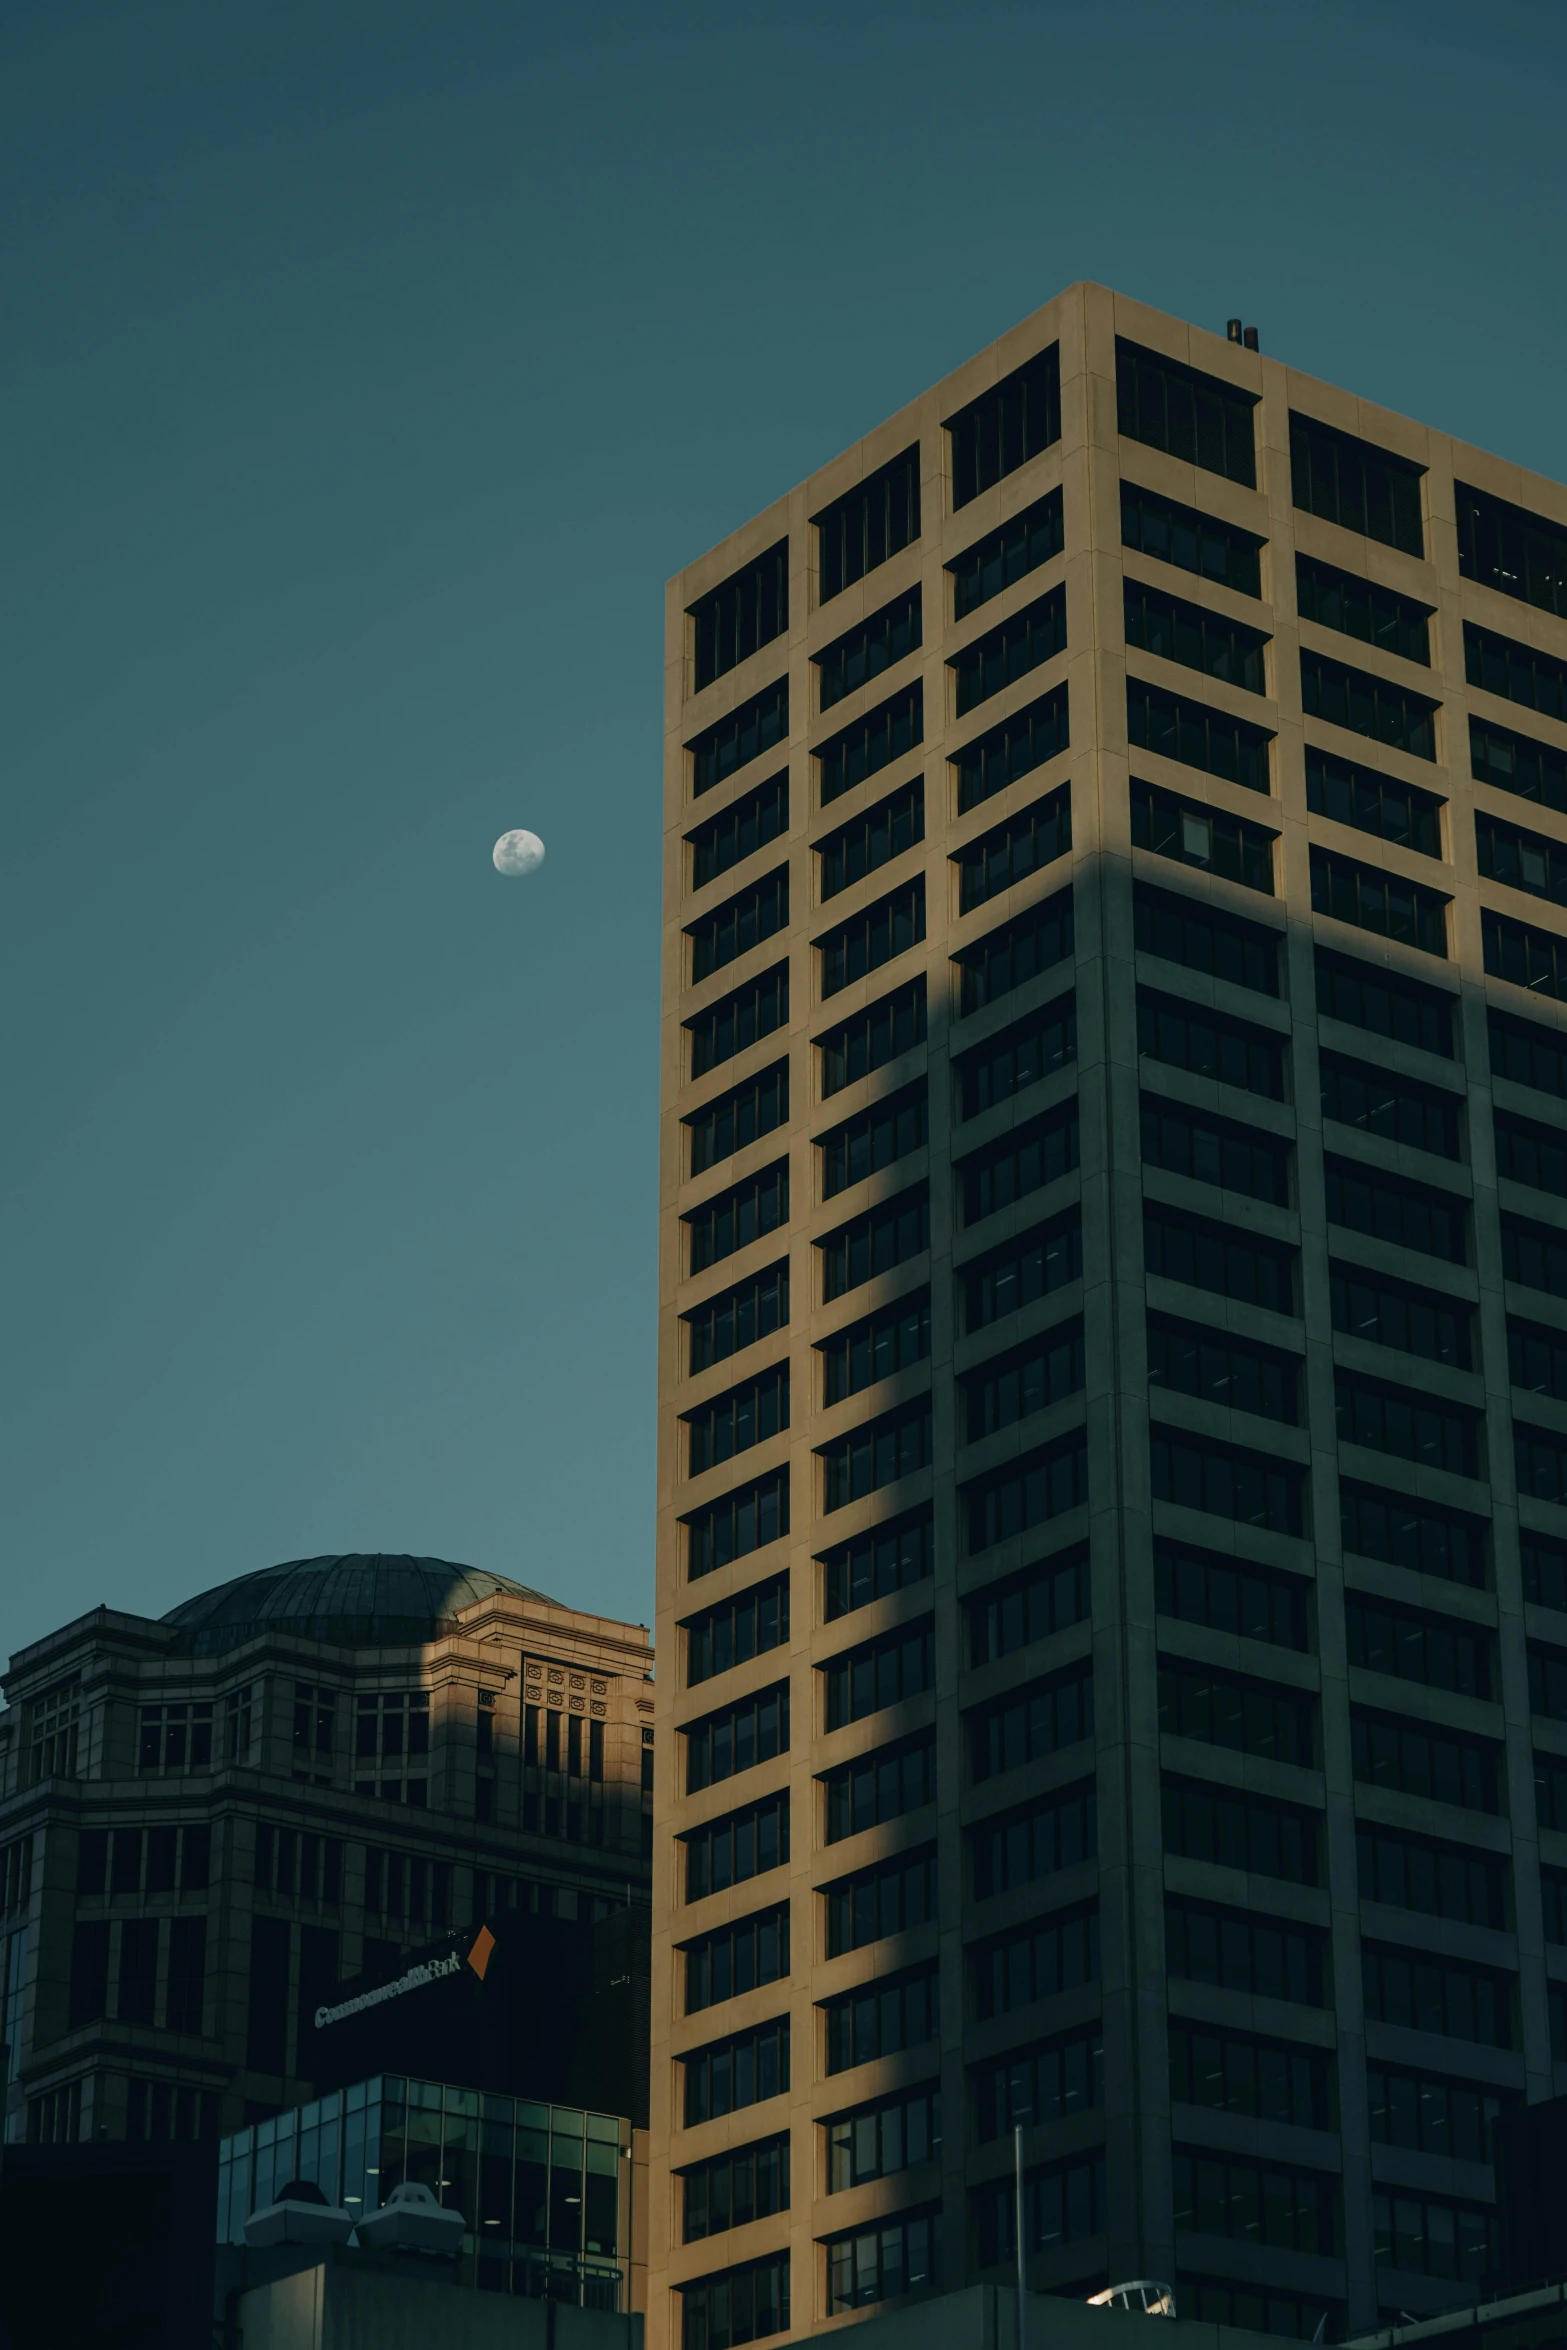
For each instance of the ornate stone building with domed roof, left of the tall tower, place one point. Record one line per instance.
(213, 1820)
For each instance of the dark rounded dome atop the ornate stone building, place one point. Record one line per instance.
(365, 1599)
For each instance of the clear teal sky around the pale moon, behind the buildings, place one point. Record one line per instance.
(368, 372)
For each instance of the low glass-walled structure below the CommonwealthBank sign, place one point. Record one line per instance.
(544, 2189)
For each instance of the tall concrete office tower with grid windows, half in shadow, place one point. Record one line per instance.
(1115, 1350)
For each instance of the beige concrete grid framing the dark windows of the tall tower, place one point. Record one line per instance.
(1143, 2133)
